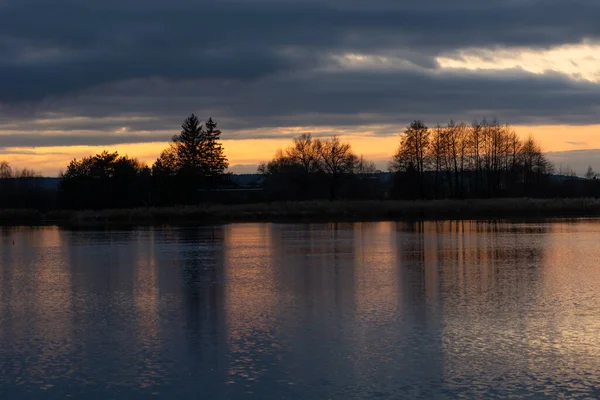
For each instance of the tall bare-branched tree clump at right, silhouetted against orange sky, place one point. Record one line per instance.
(483, 159)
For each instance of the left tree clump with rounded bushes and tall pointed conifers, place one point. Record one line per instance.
(194, 159)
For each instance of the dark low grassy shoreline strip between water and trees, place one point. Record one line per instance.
(310, 211)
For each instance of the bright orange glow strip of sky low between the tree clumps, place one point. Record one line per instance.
(246, 153)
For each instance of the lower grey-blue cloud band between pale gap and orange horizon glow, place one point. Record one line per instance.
(339, 98)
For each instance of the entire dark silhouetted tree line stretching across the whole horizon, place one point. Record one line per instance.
(457, 160)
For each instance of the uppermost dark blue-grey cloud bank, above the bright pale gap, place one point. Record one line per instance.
(55, 48)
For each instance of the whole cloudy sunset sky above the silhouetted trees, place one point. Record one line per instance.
(78, 77)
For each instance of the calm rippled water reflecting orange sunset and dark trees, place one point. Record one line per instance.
(319, 311)
